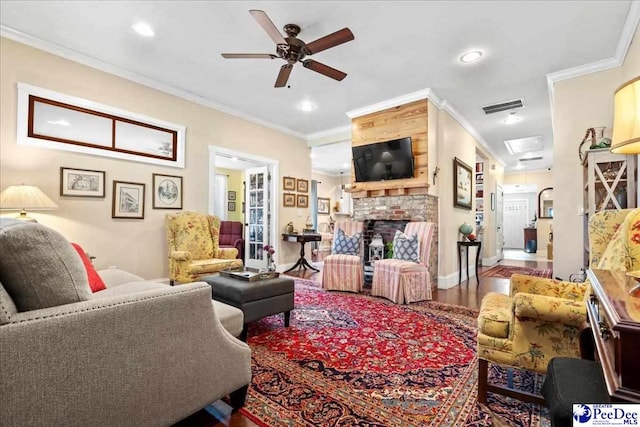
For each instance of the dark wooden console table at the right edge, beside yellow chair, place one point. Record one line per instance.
(614, 316)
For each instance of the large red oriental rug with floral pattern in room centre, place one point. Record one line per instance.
(350, 359)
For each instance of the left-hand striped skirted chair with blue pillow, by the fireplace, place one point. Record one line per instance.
(344, 270)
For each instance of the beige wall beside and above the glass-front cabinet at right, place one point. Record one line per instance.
(580, 103)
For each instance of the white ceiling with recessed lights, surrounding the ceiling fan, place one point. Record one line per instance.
(400, 47)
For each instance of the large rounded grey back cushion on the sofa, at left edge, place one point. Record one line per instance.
(39, 268)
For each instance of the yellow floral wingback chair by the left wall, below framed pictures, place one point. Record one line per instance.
(193, 240)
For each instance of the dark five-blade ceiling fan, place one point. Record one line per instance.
(293, 50)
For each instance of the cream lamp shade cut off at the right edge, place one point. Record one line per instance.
(626, 119)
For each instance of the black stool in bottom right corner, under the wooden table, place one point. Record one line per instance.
(570, 381)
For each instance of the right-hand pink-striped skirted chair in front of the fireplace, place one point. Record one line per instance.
(402, 280)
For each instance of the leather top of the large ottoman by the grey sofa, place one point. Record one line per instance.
(241, 291)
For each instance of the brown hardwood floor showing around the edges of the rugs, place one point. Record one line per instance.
(467, 294)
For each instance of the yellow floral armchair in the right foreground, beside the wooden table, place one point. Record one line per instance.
(542, 318)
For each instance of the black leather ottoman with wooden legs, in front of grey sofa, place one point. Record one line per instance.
(256, 299)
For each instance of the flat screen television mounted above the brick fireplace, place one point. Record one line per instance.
(383, 160)
